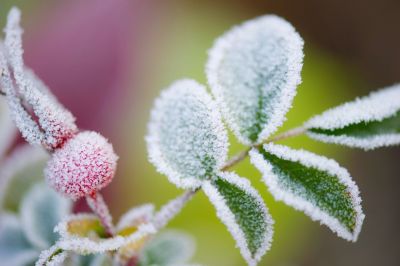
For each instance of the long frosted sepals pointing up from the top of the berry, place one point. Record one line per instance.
(25, 91)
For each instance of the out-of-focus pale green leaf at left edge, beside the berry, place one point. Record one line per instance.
(21, 169)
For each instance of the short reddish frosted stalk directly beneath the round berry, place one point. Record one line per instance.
(97, 204)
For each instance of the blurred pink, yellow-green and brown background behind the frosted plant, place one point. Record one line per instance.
(108, 60)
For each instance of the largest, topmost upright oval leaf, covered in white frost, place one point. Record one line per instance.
(253, 71)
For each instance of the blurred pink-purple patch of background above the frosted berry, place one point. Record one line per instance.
(85, 51)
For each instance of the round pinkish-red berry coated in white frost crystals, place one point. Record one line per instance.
(83, 166)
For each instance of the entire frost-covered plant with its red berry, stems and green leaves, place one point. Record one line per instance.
(253, 72)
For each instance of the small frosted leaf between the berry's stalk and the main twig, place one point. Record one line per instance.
(135, 216)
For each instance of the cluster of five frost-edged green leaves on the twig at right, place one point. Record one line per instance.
(253, 71)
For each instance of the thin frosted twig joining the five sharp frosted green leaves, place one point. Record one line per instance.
(173, 207)
